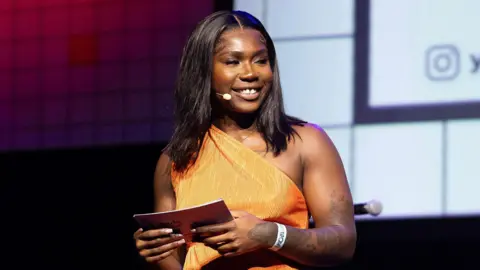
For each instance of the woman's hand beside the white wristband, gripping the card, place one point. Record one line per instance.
(243, 234)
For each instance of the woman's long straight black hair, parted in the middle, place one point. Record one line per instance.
(193, 104)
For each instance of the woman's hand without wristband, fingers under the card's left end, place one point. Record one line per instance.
(156, 245)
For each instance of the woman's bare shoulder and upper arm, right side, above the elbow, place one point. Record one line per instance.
(325, 183)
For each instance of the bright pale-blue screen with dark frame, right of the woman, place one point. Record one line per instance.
(396, 86)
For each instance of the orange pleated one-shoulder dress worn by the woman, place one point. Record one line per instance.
(246, 181)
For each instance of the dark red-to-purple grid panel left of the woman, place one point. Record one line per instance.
(81, 73)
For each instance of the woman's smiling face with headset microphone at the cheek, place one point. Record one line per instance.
(242, 69)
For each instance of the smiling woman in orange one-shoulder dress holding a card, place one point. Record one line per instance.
(233, 140)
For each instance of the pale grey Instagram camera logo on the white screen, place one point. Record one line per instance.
(442, 62)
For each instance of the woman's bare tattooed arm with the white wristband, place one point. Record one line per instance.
(329, 200)
